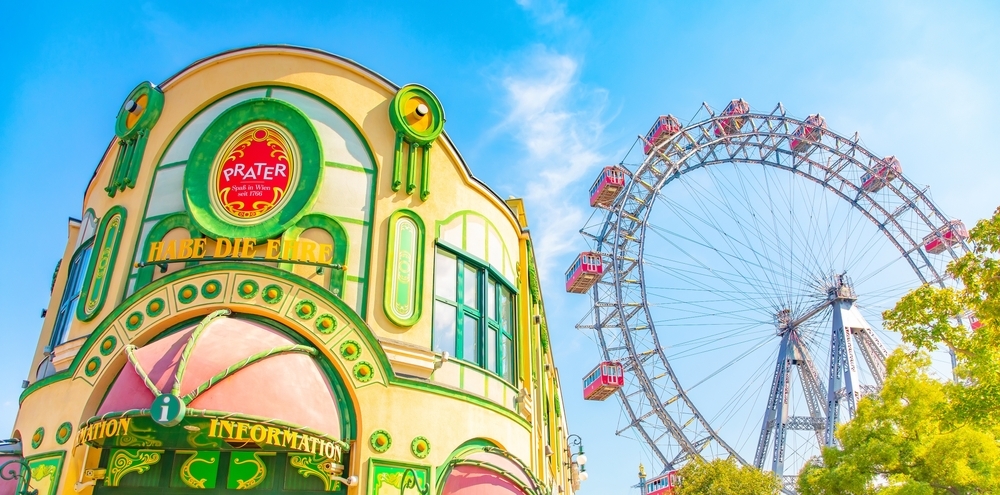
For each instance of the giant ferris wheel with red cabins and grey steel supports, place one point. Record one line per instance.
(738, 269)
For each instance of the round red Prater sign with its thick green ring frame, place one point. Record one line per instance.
(254, 170)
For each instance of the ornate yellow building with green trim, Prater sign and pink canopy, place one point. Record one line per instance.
(286, 279)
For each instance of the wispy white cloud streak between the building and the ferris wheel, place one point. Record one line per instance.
(558, 122)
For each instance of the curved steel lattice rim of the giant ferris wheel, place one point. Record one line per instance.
(617, 211)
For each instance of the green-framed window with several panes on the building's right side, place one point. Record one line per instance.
(473, 314)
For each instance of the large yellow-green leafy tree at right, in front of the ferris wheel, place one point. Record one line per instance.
(921, 435)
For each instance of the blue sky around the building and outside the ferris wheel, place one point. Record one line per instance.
(539, 95)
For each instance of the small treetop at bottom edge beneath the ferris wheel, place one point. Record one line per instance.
(725, 477)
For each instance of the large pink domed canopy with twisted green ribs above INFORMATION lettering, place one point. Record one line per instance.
(288, 387)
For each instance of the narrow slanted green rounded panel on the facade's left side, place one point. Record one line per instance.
(102, 262)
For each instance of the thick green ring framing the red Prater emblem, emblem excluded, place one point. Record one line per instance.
(198, 181)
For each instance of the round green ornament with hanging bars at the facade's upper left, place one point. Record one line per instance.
(135, 120)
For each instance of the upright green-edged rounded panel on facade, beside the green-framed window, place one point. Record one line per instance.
(402, 297)
